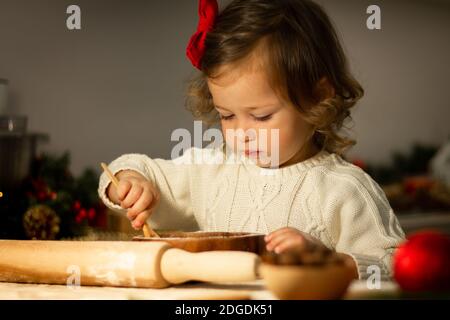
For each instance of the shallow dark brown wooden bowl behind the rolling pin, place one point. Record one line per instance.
(210, 241)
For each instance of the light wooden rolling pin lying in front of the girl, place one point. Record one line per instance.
(123, 264)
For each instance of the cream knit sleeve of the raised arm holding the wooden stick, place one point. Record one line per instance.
(170, 177)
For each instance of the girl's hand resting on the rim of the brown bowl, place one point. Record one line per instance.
(286, 238)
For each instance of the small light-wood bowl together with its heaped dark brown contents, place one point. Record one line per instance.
(302, 275)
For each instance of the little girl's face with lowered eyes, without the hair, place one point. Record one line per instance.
(245, 100)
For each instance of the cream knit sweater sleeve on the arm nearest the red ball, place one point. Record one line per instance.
(360, 222)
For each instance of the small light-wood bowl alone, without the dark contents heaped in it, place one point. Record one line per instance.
(290, 282)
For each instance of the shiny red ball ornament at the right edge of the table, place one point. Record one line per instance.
(422, 263)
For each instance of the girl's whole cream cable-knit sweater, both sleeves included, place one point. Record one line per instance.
(325, 196)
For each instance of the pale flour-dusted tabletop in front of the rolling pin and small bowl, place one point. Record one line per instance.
(254, 290)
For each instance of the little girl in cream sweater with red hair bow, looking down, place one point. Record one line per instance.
(274, 65)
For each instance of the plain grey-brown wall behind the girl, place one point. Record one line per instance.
(117, 85)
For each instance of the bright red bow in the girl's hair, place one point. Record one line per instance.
(207, 11)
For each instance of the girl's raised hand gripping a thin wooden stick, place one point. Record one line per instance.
(136, 194)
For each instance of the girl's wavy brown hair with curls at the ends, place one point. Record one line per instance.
(302, 48)
